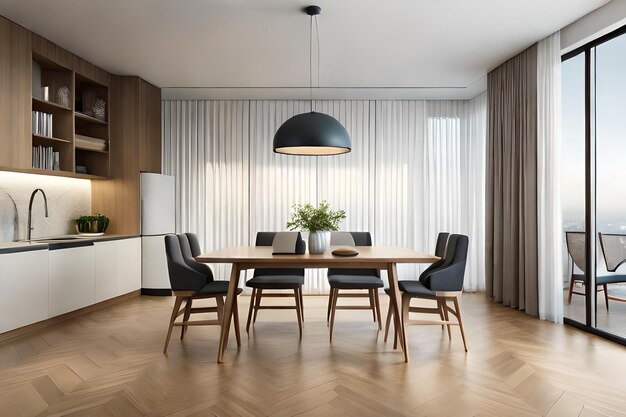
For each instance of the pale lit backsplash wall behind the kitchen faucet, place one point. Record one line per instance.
(68, 198)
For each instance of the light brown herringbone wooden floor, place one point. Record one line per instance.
(109, 363)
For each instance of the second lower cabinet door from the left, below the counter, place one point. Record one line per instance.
(72, 279)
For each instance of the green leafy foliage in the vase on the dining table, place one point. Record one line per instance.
(315, 219)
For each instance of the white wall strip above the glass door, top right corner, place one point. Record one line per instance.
(597, 23)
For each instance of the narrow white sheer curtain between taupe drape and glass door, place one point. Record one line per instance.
(548, 198)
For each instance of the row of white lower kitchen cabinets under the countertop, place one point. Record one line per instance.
(36, 285)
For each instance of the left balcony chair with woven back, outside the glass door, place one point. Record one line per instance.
(575, 242)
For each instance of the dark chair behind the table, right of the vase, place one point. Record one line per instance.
(343, 281)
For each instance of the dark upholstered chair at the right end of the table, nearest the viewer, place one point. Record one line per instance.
(442, 283)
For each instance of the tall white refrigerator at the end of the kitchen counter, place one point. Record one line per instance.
(158, 218)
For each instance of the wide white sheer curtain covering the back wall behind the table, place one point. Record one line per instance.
(417, 168)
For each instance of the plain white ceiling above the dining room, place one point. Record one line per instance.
(243, 46)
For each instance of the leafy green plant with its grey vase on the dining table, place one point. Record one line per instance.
(318, 221)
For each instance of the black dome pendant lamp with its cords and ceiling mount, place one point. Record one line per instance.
(312, 133)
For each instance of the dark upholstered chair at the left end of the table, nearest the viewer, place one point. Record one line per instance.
(191, 280)
